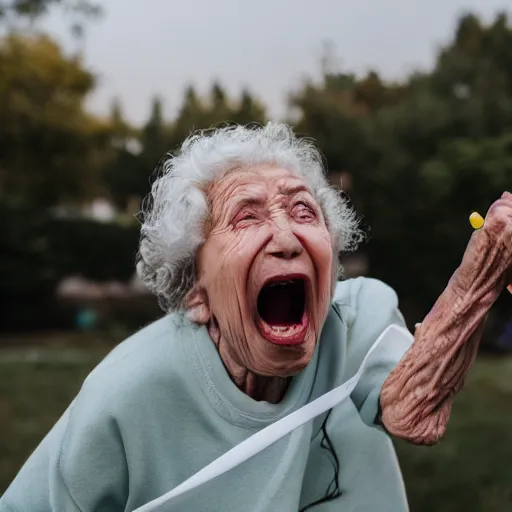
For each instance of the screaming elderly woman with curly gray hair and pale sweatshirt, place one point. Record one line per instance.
(240, 243)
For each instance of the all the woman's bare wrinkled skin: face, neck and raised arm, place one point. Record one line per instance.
(260, 227)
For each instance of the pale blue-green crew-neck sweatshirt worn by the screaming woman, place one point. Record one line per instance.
(161, 406)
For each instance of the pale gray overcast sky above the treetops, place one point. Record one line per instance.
(145, 47)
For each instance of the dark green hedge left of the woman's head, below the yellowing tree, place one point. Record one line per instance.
(36, 252)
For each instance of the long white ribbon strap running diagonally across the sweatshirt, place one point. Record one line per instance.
(401, 339)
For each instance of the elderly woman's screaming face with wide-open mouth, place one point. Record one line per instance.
(266, 269)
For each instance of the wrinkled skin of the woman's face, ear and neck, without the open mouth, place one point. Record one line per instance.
(263, 223)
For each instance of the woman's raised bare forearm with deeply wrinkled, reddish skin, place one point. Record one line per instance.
(417, 397)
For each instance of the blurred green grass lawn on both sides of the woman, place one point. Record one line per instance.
(469, 471)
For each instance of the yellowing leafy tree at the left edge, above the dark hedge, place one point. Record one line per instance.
(50, 148)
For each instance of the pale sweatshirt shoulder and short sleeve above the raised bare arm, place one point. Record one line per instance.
(369, 306)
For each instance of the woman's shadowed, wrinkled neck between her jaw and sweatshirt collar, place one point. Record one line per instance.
(258, 387)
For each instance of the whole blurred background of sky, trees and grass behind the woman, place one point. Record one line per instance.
(411, 103)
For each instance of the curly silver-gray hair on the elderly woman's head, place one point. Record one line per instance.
(174, 212)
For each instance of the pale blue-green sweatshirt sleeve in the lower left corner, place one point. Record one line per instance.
(79, 467)
